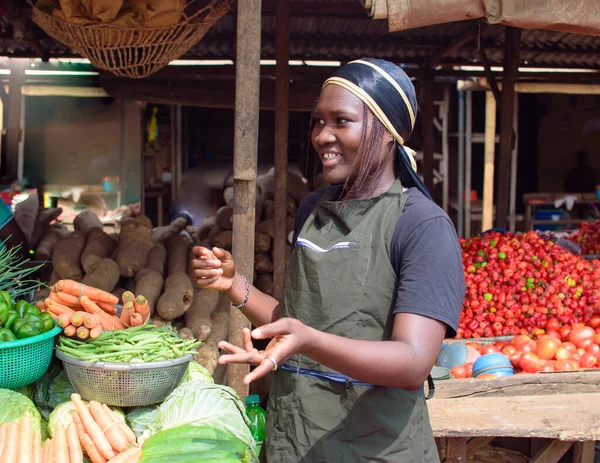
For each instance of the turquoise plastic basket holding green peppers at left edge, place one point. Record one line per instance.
(24, 361)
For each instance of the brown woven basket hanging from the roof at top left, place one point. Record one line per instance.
(132, 52)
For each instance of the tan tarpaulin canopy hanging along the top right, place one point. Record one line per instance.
(575, 16)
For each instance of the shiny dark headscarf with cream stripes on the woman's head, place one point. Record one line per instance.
(390, 95)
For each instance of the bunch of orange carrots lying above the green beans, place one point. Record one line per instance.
(71, 303)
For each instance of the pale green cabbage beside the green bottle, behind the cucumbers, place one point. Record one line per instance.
(196, 406)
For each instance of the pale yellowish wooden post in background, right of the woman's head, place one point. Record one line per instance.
(488, 168)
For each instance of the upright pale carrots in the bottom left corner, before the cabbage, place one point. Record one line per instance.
(18, 442)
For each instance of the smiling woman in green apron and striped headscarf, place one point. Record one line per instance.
(373, 285)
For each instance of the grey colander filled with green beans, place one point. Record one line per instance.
(124, 384)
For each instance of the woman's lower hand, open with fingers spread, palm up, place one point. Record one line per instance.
(288, 338)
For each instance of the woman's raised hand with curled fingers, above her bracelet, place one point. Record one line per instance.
(213, 268)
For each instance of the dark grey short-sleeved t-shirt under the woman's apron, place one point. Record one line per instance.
(426, 257)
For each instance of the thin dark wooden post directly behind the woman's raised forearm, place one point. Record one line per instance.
(282, 95)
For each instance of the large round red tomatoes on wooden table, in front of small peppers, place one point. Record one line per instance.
(569, 349)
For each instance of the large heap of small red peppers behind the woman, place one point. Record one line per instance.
(521, 284)
